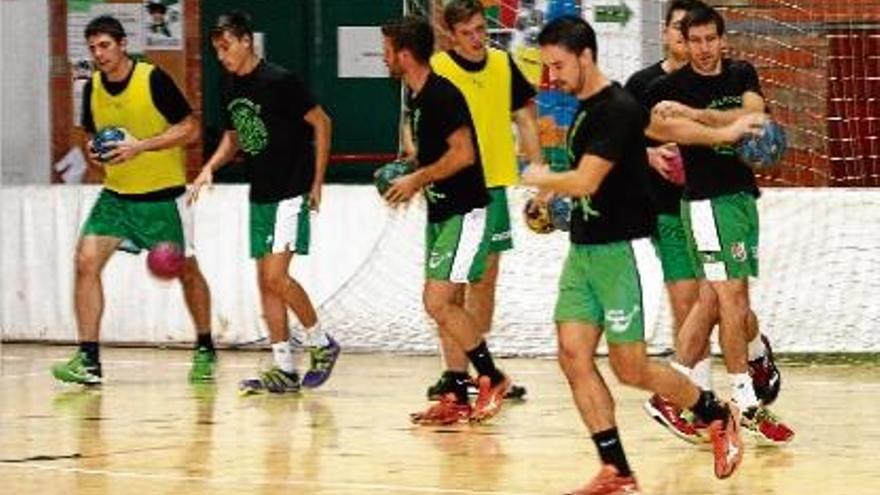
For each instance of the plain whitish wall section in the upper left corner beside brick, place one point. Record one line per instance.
(24, 92)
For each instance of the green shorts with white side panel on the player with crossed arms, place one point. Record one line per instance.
(723, 236)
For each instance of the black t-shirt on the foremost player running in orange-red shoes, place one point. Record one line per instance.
(611, 125)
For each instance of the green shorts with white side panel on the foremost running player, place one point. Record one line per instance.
(616, 287)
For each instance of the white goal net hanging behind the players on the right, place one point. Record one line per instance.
(819, 66)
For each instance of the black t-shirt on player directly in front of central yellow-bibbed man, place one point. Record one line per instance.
(437, 111)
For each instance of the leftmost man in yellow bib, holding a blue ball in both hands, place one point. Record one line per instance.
(142, 202)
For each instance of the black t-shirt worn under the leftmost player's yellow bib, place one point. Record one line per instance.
(166, 96)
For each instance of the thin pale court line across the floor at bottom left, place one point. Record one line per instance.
(225, 480)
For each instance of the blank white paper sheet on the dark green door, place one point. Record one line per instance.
(360, 52)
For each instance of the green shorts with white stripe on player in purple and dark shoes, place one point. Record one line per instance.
(280, 227)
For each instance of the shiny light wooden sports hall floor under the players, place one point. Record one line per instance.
(147, 431)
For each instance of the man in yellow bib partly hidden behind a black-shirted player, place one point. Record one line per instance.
(496, 93)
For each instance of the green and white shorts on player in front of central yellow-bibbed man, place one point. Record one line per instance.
(456, 248)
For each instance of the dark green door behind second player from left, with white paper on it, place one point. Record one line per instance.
(301, 35)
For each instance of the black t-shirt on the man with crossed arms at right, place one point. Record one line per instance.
(711, 171)
